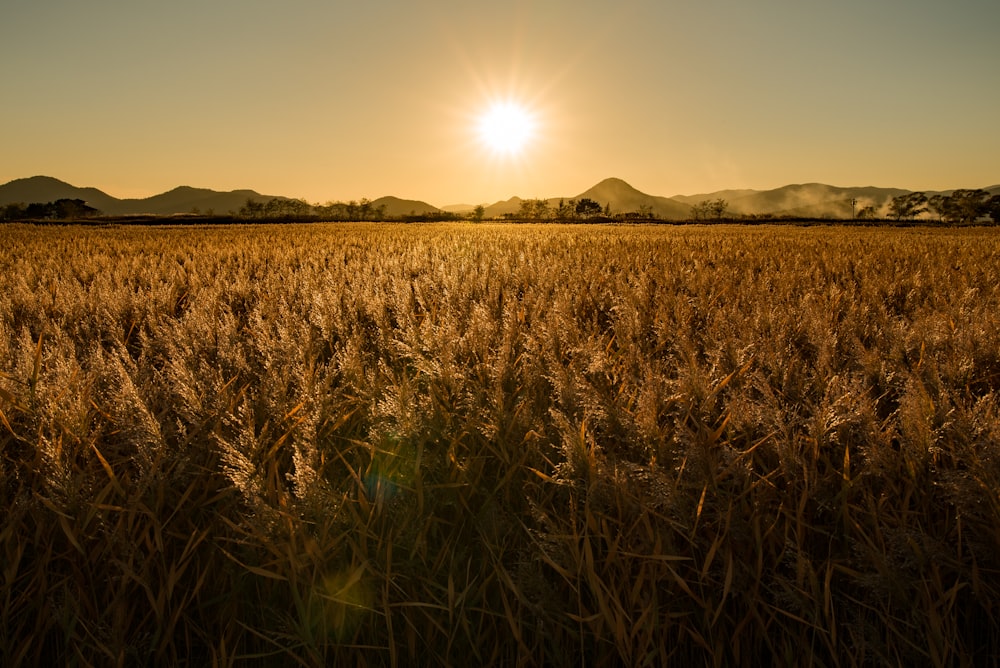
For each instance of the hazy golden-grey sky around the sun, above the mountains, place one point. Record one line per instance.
(343, 100)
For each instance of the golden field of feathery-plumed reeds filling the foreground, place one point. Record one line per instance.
(367, 444)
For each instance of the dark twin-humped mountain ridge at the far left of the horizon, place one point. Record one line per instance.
(179, 200)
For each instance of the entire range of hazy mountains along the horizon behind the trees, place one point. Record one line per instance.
(810, 200)
